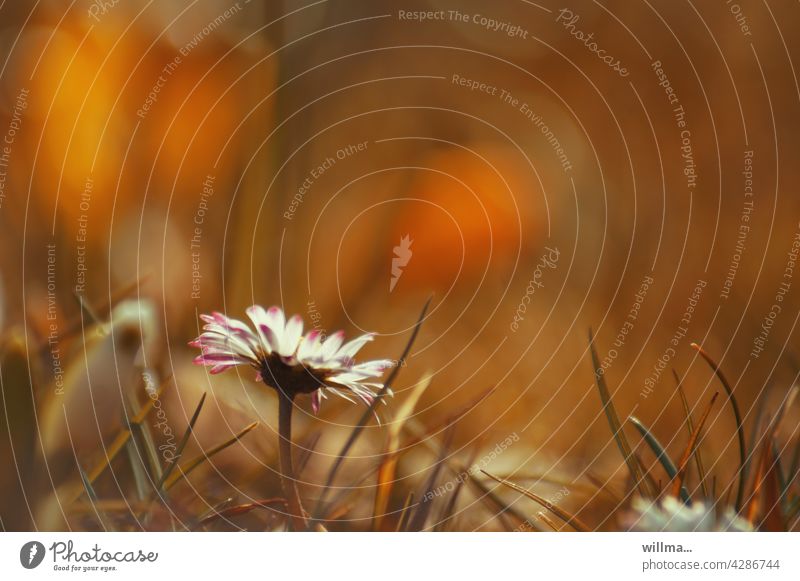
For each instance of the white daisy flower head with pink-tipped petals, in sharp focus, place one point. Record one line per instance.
(287, 360)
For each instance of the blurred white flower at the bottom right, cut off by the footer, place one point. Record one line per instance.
(673, 515)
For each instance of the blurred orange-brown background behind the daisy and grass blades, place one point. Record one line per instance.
(160, 148)
